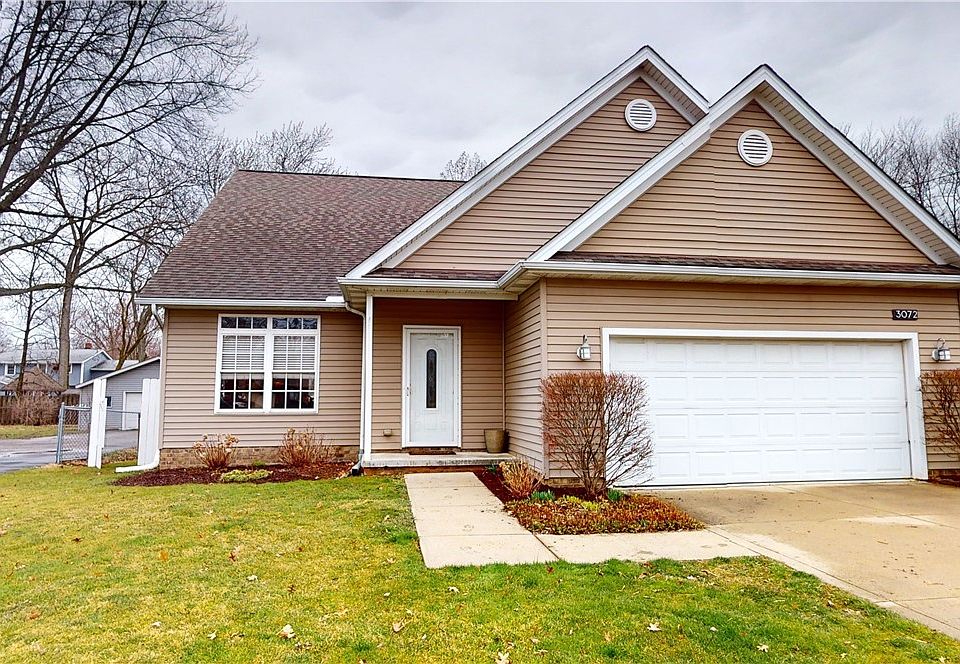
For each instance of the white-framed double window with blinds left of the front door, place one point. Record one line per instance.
(268, 363)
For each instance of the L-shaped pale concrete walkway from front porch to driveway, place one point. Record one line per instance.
(460, 522)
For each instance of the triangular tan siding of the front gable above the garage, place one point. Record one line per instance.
(715, 204)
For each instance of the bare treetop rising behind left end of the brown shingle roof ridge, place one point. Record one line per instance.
(290, 149)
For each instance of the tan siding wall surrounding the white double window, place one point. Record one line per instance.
(189, 377)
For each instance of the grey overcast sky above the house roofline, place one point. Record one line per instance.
(406, 87)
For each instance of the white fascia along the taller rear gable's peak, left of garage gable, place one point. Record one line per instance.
(518, 156)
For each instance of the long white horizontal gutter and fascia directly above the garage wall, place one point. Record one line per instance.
(626, 269)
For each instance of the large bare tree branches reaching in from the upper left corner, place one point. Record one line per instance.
(78, 77)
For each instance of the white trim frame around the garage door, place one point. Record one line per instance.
(911, 358)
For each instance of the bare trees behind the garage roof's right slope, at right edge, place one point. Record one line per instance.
(926, 165)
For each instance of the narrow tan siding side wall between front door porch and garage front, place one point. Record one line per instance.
(524, 368)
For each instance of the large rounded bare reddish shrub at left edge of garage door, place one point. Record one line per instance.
(595, 424)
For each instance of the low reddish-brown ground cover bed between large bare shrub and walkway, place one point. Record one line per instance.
(569, 515)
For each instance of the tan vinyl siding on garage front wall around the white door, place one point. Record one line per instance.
(583, 307)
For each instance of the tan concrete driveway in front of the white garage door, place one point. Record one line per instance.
(896, 544)
